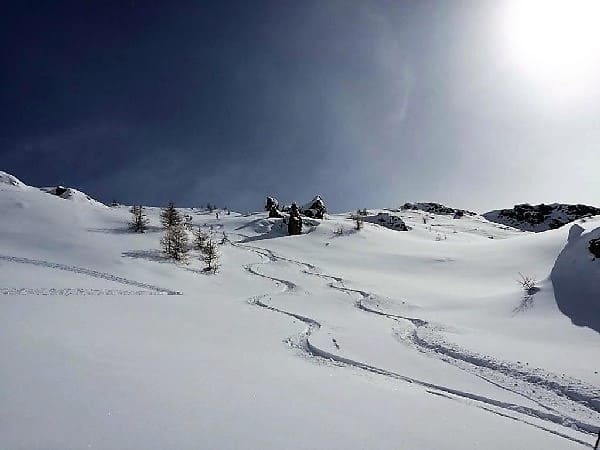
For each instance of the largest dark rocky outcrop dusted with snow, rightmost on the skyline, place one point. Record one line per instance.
(541, 217)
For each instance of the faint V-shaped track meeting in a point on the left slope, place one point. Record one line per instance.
(83, 271)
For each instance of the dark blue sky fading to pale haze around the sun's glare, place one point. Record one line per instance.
(366, 103)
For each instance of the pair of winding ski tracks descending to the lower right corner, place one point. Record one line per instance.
(573, 397)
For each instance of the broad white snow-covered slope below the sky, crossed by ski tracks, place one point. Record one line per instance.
(370, 339)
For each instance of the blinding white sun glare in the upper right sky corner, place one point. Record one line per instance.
(555, 42)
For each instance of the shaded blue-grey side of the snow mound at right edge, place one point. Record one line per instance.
(575, 278)
